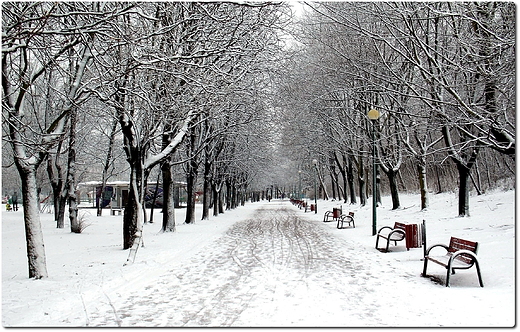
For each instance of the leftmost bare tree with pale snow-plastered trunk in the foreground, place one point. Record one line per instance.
(26, 28)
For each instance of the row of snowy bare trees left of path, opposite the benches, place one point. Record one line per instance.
(175, 83)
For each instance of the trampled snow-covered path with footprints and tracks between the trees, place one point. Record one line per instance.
(261, 266)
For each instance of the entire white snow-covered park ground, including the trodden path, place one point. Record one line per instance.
(266, 264)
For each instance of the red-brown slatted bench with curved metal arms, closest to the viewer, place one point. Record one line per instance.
(460, 254)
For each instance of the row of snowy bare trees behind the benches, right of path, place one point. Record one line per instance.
(441, 74)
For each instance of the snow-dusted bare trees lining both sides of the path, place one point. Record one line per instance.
(145, 90)
